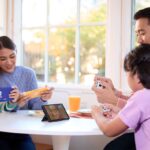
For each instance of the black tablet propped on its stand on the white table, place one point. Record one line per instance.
(55, 112)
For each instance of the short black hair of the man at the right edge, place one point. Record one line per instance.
(143, 13)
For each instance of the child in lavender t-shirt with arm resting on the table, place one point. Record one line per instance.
(136, 113)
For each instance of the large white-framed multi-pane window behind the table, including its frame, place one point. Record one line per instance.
(65, 41)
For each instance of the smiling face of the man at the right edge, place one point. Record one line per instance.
(142, 29)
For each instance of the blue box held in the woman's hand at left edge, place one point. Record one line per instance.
(4, 94)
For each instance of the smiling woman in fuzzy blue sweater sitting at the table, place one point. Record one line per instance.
(23, 79)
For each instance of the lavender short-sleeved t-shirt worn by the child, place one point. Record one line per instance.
(136, 115)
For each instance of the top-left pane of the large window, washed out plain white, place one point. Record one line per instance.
(33, 13)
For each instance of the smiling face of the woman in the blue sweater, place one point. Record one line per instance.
(7, 60)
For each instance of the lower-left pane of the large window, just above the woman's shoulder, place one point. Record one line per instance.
(33, 51)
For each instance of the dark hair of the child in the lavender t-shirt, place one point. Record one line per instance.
(137, 61)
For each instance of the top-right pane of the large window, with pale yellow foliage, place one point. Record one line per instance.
(93, 11)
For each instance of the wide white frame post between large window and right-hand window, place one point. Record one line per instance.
(118, 40)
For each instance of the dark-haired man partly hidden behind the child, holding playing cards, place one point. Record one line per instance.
(110, 95)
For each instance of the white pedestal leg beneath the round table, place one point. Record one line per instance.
(60, 142)
